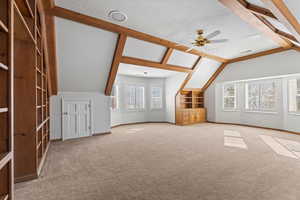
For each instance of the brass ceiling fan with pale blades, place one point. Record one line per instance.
(202, 40)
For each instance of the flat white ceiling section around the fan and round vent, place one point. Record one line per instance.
(177, 20)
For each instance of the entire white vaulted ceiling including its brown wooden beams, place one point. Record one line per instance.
(93, 53)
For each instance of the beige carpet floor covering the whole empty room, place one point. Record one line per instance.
(166, 162)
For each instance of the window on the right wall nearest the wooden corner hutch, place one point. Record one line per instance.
(229, 97)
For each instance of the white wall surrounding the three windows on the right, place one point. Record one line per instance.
(268, 66)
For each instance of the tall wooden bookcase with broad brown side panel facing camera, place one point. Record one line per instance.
(31, 105)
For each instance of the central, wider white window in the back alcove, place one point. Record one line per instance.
(135, 97)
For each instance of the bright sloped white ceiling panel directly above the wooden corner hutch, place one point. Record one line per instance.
(205, 69)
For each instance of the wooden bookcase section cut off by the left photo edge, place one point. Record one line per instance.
(6, 101)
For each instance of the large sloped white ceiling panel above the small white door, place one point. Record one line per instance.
(84, 56)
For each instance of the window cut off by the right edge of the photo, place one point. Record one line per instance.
(294, 95)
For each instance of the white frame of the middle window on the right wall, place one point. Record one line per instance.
(260, 109)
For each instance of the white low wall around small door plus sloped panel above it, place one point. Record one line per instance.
(85, 55)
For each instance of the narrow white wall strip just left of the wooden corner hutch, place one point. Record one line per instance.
(172, 86)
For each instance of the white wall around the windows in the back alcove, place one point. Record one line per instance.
(124, 116)
